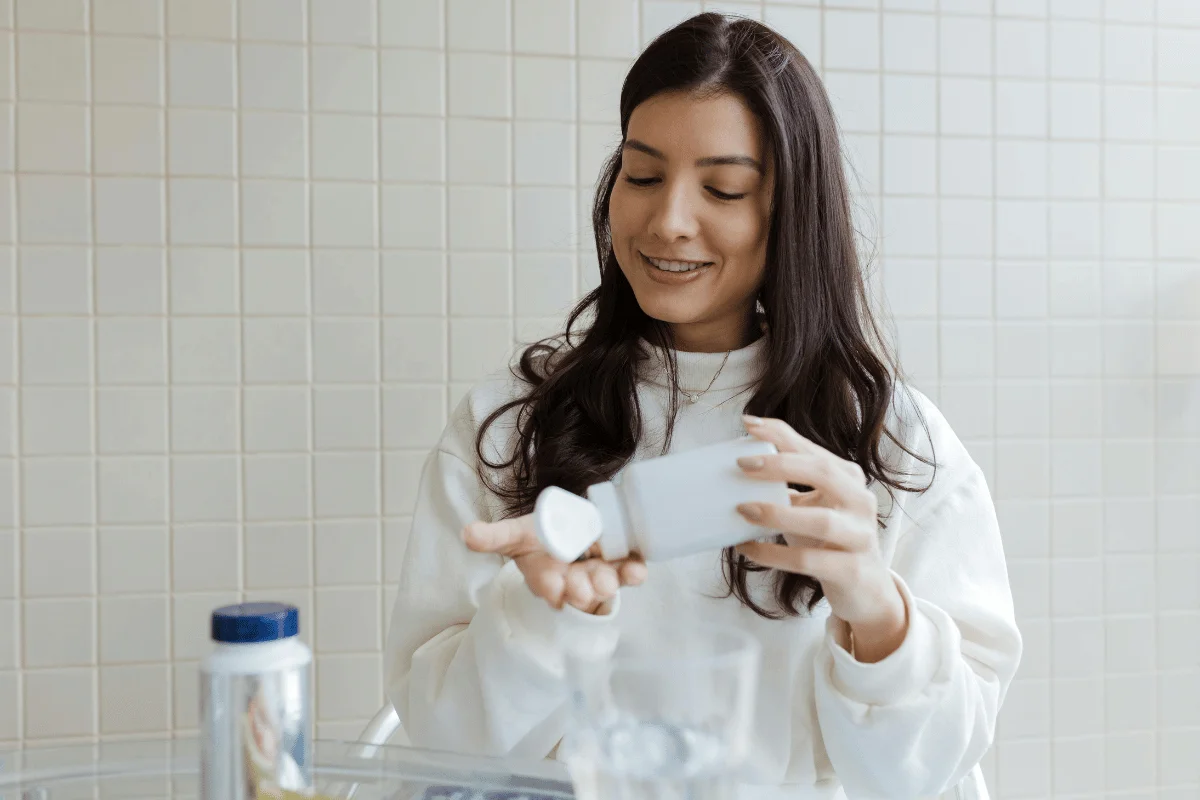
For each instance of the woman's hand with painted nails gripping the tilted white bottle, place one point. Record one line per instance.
(832, 536)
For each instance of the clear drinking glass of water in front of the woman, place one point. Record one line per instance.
(668, 715)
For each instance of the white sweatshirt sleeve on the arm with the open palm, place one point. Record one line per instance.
(472, 661)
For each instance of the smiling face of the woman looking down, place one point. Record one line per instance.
(691, 215)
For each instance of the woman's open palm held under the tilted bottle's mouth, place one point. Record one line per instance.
(587, 585)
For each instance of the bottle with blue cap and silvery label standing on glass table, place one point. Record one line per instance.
(256, 709)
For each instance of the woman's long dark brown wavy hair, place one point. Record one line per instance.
(829, 372)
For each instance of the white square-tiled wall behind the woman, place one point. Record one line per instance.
(256, 250)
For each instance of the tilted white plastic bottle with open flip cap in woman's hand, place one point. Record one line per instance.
(662, 508)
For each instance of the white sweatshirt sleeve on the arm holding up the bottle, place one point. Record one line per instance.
(917, 723)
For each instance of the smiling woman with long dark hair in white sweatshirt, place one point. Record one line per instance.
(730, 286)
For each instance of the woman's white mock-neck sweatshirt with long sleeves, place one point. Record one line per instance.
(472, 663)
